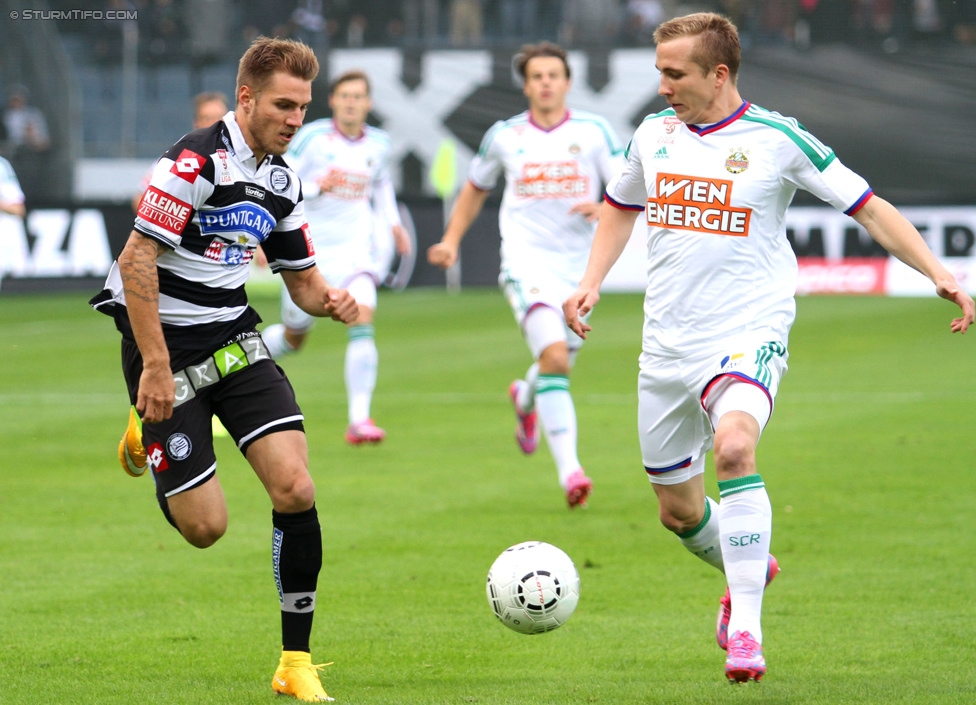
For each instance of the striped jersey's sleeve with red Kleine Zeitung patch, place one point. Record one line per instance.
(181, 181)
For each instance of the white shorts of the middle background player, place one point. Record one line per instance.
(541, 291)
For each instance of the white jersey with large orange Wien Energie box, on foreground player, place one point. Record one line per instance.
(715, 199)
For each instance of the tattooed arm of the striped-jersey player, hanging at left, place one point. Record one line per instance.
(140, 280)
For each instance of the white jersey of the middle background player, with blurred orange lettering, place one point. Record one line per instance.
(547, 172)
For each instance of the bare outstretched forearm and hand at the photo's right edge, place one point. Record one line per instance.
(897, 235)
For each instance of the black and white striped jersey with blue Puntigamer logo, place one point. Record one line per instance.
(210, 204)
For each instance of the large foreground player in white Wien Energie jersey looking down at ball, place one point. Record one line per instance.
(713, 176)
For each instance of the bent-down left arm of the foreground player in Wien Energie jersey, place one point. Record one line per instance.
(612, 234)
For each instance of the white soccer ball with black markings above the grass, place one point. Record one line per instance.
(533, 587)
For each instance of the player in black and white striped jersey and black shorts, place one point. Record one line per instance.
(190, 344)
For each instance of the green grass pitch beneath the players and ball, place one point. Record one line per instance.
(868, 460)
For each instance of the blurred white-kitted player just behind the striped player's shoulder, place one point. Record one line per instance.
(344, 167)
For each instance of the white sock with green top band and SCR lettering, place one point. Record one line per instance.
(745, 524)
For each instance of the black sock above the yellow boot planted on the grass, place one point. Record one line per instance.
(296, 554)
